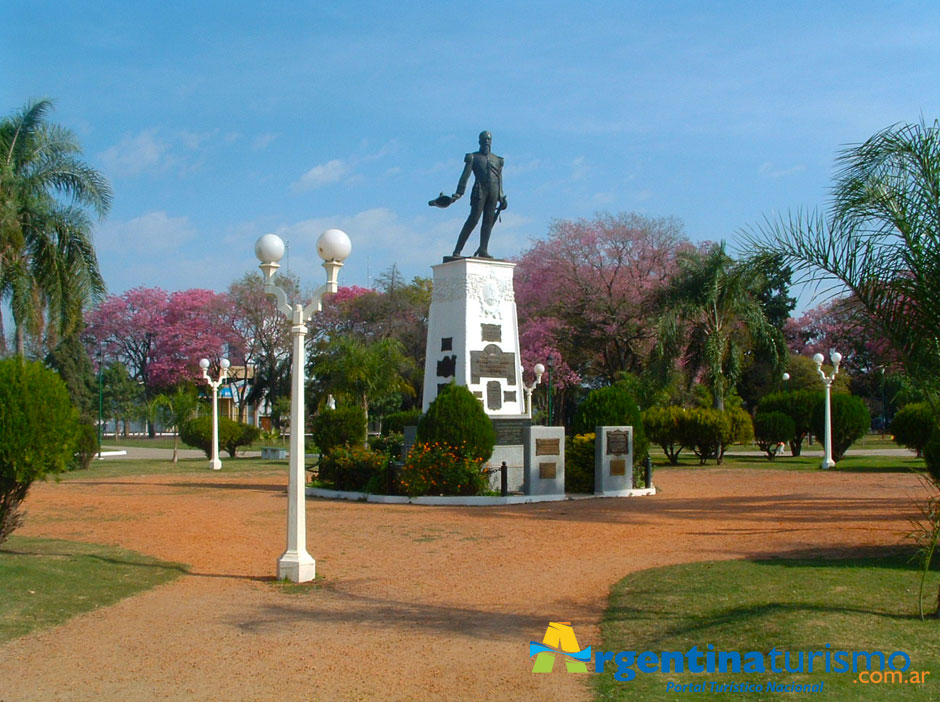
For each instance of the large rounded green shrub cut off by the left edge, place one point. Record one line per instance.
(38, 427)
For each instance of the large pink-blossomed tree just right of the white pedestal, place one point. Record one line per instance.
(592, 278)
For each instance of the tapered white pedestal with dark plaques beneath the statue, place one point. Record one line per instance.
(473, 340)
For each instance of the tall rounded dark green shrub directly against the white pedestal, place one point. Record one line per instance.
(457, 419)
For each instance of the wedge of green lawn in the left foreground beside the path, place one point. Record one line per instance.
(44, 582)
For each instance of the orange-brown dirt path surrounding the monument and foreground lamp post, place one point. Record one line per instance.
(417, 603)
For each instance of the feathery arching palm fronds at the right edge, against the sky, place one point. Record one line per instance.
(880, 241)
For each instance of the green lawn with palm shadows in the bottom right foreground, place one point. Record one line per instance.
(799, 605)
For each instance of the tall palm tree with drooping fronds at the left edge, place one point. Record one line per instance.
(48, 267)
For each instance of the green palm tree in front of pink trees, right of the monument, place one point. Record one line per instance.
(710, 315)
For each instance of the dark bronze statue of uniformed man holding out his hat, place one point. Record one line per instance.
(486, 196)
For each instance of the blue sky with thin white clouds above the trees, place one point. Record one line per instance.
(217, 122)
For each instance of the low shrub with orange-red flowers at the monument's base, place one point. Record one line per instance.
(437, 469)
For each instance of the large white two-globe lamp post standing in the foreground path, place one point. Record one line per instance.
(333, 246)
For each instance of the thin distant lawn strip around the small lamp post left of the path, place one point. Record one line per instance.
(112, 468)
